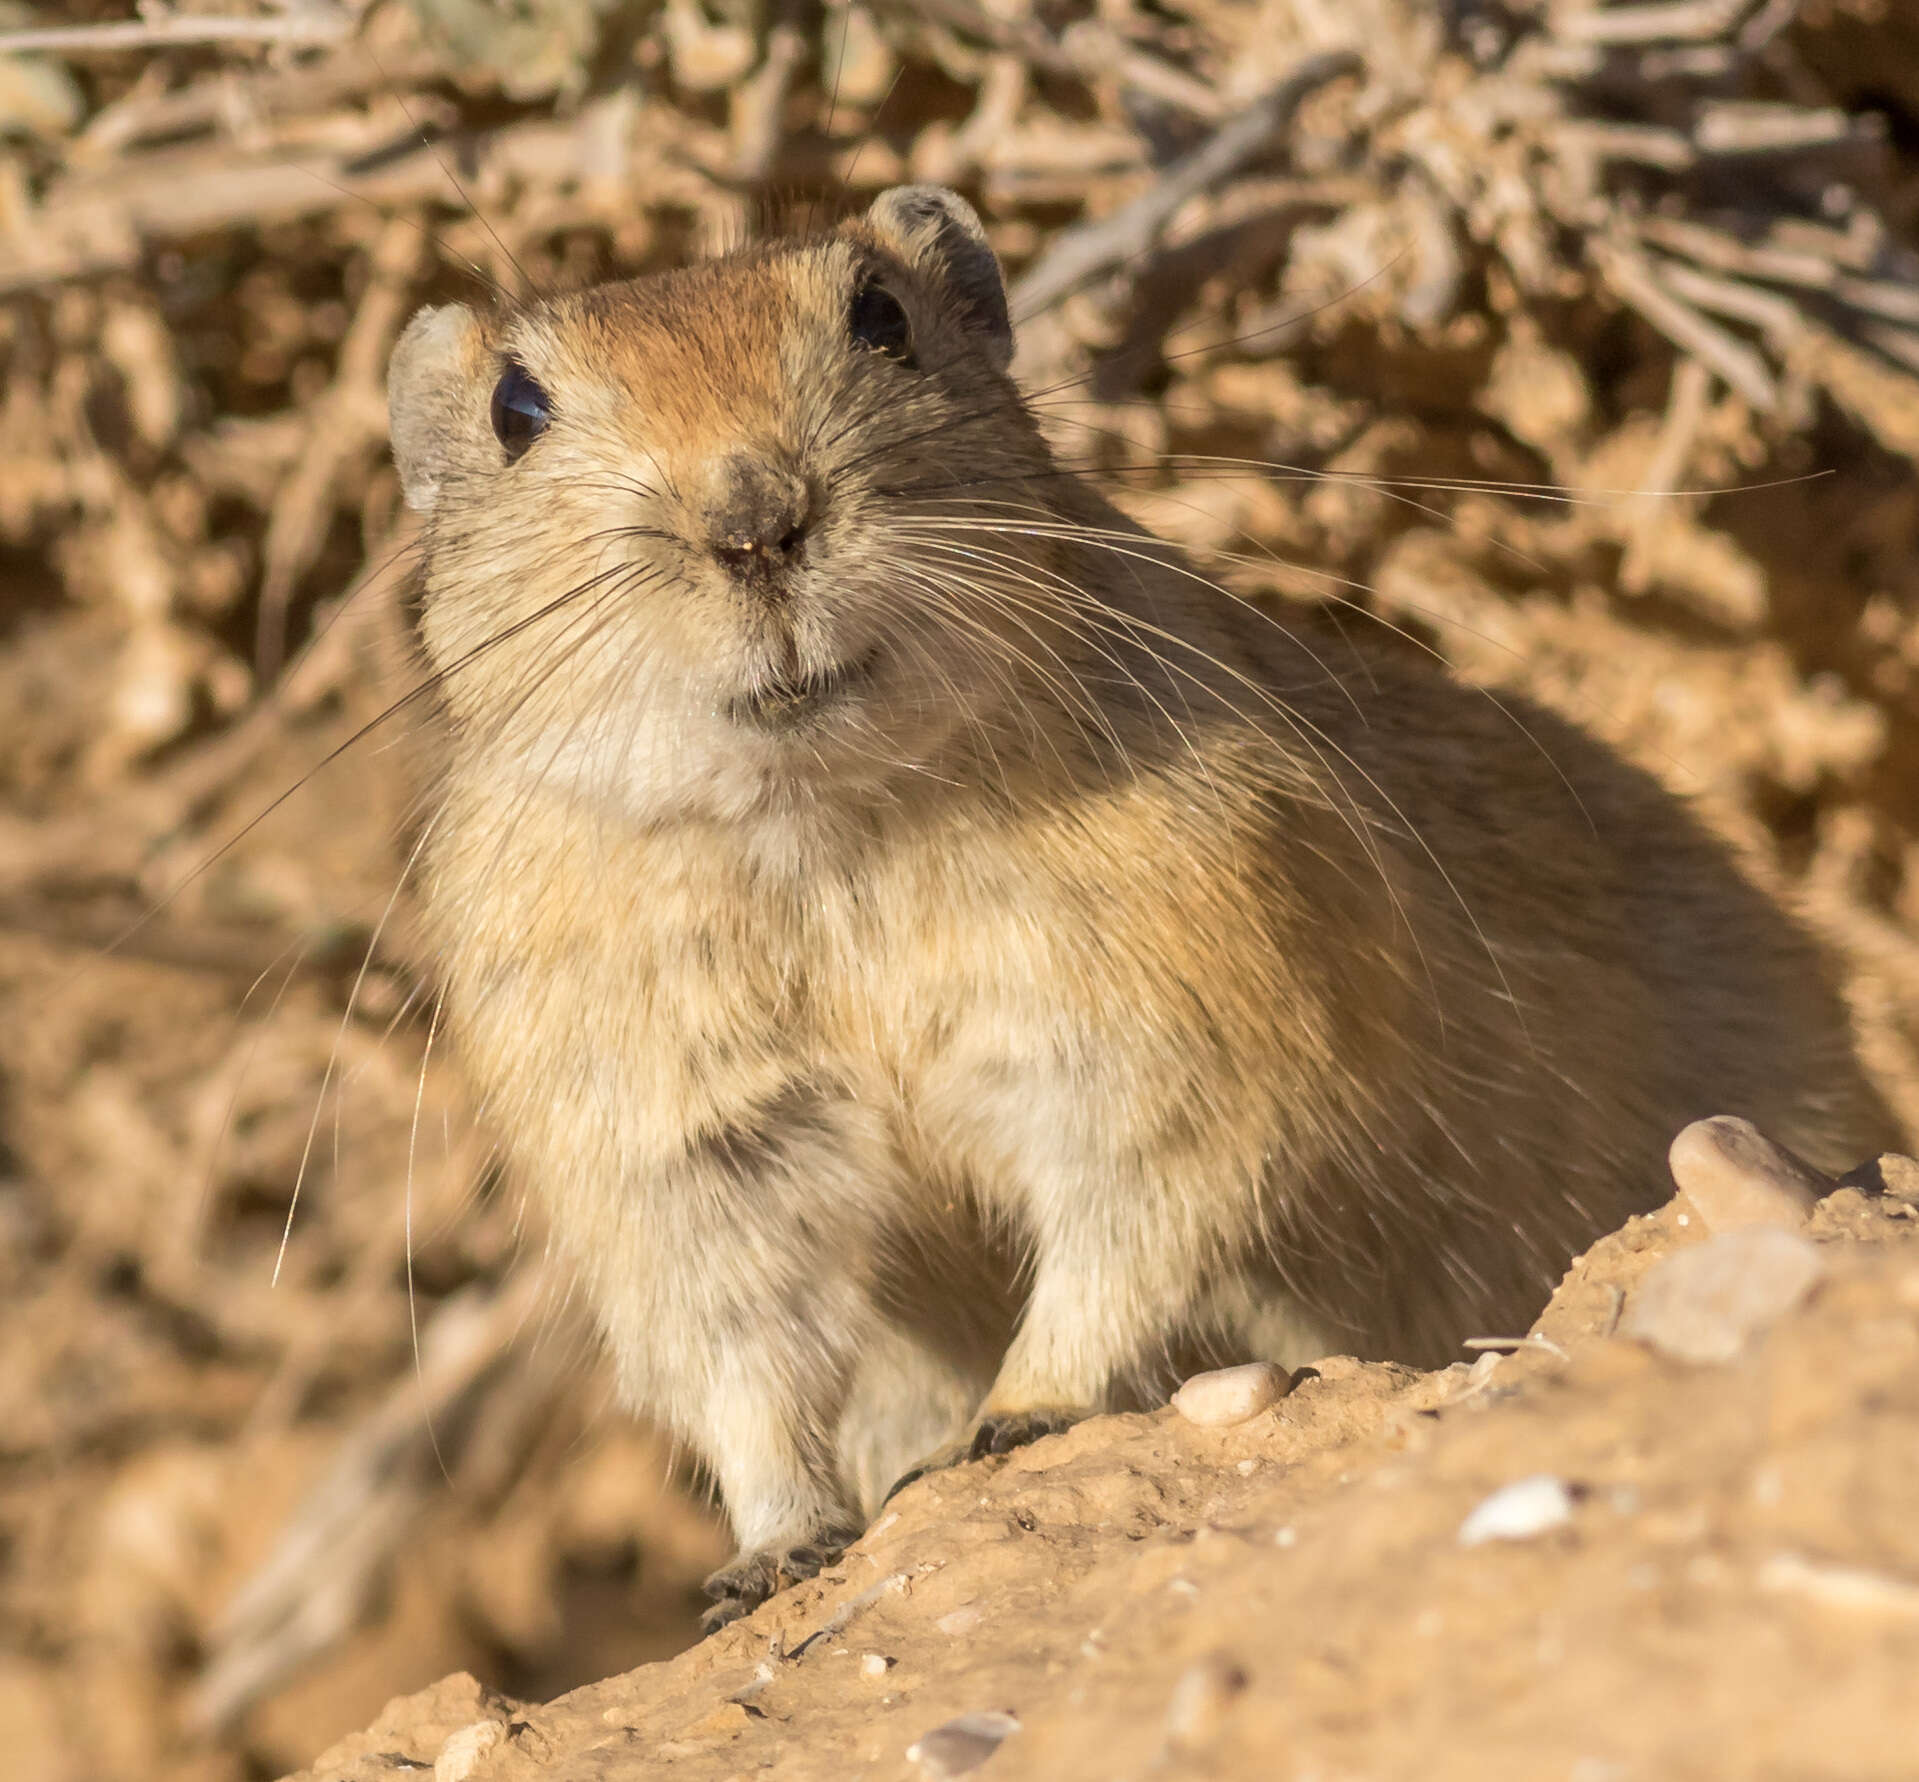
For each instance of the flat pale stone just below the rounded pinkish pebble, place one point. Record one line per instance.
(1707, 1303)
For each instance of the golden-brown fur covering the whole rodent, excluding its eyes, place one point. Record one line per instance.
(1099, 981)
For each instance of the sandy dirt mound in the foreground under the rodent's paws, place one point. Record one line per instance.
(1580, 1559)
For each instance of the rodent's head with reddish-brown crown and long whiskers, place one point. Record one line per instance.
(699, 542)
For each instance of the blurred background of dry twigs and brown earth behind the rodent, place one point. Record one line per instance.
(1575, 342)
